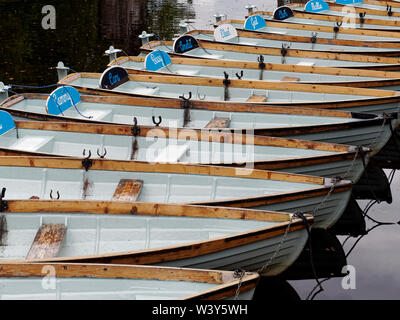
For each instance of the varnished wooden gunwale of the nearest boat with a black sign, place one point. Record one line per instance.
(256, 84)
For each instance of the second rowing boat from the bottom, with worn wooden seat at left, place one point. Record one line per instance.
(151, 234)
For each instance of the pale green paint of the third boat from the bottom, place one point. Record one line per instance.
(158, 187)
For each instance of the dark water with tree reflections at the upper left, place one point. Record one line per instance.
(84, 30)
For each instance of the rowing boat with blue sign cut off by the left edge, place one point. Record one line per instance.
(162, 145)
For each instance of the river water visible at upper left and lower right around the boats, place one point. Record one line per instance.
(85, 29)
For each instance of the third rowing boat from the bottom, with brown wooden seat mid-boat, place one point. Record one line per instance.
(100, 179)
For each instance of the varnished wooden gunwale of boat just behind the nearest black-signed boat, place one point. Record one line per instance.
(268, 66)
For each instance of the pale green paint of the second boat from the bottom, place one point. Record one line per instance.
(101, 234)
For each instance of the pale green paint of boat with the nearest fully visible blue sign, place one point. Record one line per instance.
(374, 137)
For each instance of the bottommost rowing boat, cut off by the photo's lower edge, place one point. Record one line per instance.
(24, 281)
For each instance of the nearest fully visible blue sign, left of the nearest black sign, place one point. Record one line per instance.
(61, 100)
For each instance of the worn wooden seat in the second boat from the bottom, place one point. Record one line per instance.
(47, 242)
